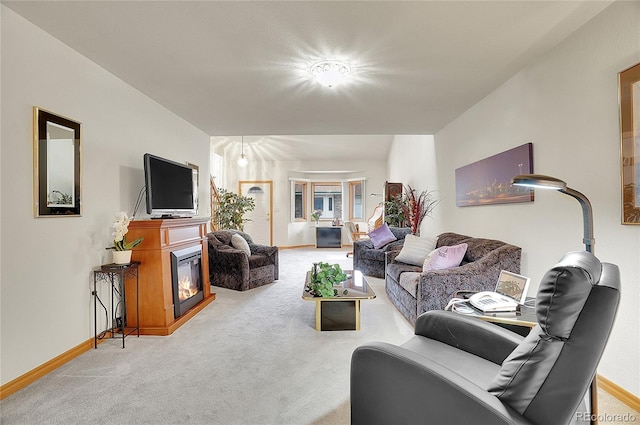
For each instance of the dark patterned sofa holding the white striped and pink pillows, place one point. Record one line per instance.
(413, 292)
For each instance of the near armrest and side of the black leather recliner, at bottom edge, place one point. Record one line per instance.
(392, 385)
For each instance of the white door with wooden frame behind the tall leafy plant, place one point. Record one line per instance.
(260, 227)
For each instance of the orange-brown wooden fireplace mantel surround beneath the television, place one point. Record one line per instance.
(161, 237)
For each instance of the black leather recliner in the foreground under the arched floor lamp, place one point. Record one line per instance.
(460, 370)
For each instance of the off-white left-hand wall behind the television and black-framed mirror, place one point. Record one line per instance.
(47, 262)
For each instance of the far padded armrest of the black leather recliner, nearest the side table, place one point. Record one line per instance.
(468, 333)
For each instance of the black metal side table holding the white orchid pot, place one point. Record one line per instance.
(115, 275)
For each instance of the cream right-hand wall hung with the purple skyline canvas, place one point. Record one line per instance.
(566, 103)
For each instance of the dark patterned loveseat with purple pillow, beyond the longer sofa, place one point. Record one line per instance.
(370, 260)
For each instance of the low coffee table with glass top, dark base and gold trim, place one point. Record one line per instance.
(341, 313)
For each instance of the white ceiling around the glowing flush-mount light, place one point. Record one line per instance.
(240, 67)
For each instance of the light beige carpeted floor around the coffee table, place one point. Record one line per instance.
(248, 358)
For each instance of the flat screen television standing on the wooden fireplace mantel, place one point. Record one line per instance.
(171, 188)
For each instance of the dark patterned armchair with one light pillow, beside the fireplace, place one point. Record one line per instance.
(232, 268)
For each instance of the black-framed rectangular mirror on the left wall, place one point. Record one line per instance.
(56, 165)
